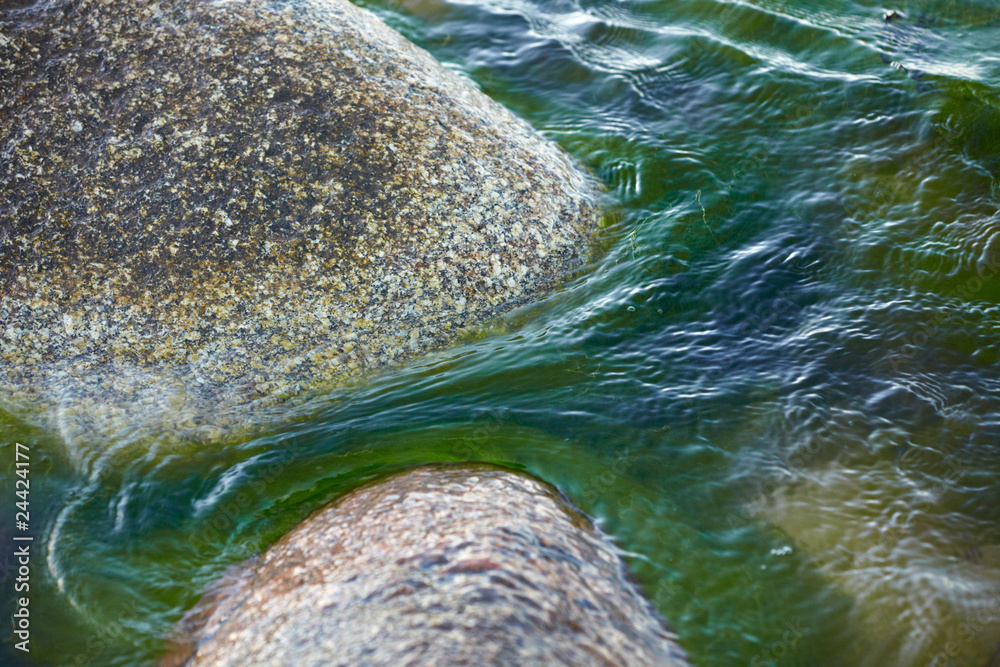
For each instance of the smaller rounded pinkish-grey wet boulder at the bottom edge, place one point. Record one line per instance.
(446, 565)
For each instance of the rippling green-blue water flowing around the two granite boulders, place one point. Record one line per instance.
(778, 388)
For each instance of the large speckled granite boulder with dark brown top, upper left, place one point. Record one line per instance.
(203, 204)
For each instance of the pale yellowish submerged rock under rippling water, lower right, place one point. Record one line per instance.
(926, 588)
